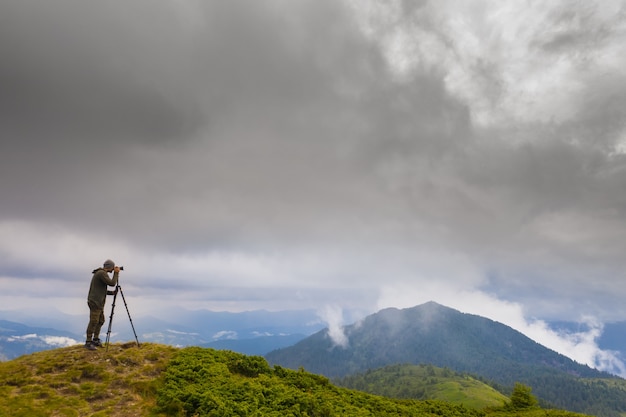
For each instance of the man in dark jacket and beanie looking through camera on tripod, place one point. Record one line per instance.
(98, 292)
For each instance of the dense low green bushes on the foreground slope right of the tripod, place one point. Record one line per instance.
(206, 382)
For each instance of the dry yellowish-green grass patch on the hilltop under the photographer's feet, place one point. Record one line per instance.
(78, 382)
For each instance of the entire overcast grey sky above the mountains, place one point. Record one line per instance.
(337, 155)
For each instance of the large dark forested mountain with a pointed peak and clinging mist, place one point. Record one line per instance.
(444, 337)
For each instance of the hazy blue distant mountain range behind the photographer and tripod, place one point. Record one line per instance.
(251, 332)
